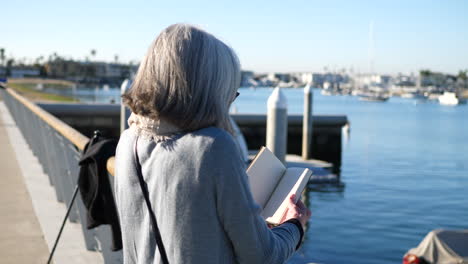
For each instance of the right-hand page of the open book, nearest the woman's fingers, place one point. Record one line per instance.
(293, 182)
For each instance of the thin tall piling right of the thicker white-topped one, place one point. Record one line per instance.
(307, 123)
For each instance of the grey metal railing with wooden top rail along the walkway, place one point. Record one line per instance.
(58, 148)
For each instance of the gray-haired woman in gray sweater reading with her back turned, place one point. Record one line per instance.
(195, 176)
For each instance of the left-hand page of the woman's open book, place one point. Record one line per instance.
(264, 174)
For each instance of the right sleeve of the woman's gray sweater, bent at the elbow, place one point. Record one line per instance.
(252, 240)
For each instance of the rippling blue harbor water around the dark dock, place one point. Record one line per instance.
(404, 173)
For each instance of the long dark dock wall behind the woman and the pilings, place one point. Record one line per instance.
(327, 129)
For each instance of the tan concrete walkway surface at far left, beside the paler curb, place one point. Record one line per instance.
(21, 237)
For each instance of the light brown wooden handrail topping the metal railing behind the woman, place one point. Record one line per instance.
(75, 137)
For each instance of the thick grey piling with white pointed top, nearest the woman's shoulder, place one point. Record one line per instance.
(277, 124)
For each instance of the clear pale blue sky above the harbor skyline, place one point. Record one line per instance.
(267, 35)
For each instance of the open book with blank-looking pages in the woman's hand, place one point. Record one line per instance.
(272, 184)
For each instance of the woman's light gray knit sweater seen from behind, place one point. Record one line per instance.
(202, 201)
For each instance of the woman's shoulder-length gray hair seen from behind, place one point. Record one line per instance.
(188, 77)
